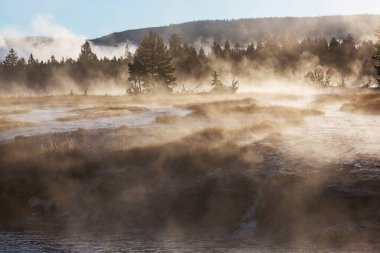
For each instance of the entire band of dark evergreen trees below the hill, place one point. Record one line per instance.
(157, 66)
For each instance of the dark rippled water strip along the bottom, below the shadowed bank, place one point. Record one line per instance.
(42, 242)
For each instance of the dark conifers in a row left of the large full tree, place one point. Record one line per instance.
(42, 75)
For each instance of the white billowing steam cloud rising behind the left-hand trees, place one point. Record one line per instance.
(46, 38)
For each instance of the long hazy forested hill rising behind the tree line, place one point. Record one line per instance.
(244, 31)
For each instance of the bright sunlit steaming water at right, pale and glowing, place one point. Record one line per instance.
(334, 135)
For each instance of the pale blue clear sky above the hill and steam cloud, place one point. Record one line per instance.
(93, 18)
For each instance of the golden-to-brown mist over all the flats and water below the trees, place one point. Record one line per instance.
(226, 174)
